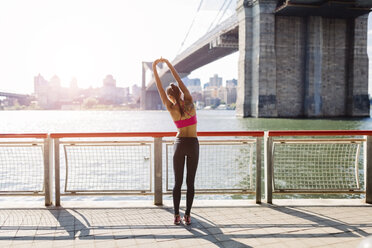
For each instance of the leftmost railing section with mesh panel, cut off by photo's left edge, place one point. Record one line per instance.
(25, 165)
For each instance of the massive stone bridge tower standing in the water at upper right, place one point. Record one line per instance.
(303, 65)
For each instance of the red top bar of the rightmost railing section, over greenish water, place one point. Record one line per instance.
(320, 133)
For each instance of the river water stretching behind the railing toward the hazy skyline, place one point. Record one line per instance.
(158, 121)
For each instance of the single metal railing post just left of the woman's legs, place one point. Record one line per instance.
(158, 173)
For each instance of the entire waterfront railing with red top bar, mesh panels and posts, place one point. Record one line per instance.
(132, 163)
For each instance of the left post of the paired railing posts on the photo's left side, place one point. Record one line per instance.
(48, 171)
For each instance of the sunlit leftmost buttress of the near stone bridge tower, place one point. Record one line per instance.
(257, 59)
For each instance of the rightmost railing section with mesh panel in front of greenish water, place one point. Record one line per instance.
(332, 165)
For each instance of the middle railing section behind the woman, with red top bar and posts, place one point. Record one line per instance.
(89, 162)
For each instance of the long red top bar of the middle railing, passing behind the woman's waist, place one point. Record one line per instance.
(154, 134)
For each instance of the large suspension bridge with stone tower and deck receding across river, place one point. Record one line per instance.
(297, 58)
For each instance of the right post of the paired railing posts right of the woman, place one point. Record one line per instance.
(269, 170)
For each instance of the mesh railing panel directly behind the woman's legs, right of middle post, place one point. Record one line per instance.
(225, 166)
